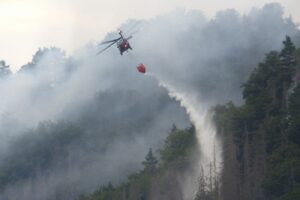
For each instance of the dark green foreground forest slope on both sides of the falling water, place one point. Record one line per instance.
(261, 144)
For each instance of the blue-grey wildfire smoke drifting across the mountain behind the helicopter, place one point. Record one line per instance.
(119, 111)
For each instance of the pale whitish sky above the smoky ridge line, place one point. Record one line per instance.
(26, 25)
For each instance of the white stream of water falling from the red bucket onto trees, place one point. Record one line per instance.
(208, 142)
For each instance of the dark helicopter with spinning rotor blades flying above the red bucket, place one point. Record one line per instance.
(122, 43)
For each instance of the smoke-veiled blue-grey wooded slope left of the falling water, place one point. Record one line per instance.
(54, 153)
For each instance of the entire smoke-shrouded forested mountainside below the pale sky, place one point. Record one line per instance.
(72, 124)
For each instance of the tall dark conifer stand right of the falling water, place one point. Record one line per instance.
(261, 138)
